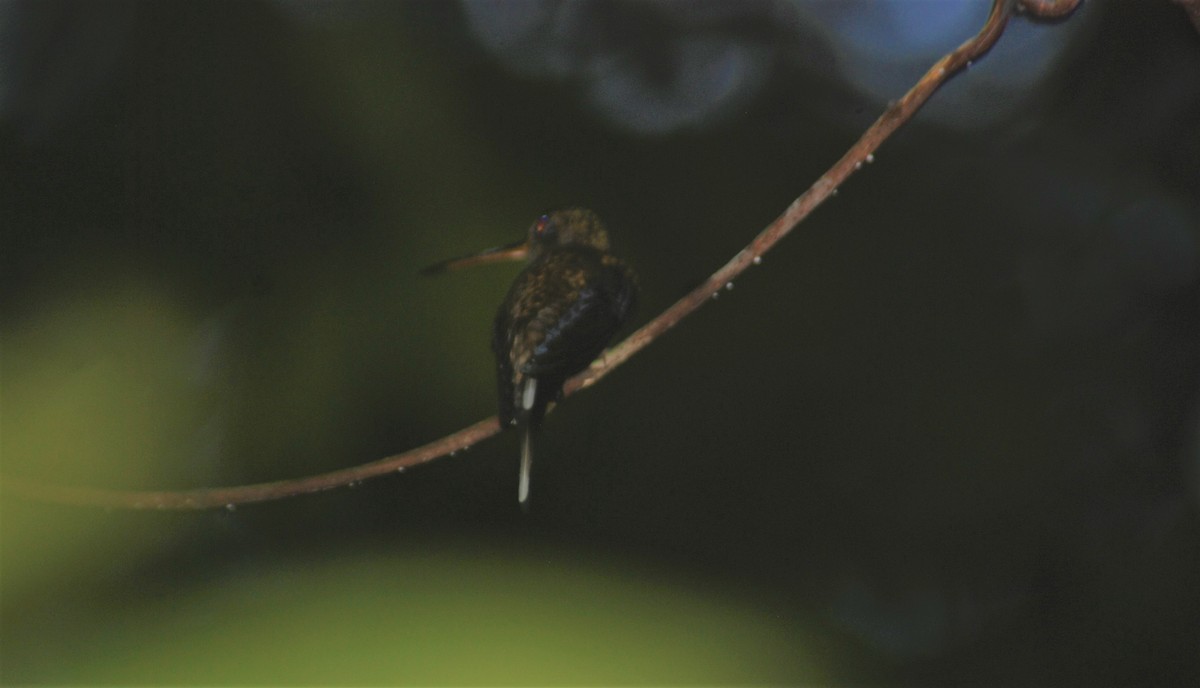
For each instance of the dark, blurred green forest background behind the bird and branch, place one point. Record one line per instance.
(947, 433)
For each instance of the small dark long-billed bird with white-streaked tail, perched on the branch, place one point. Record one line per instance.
(560, 314)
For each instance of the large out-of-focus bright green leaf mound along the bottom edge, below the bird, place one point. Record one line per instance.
(455, 613)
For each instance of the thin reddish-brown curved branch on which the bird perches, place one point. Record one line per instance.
(896, 116)
